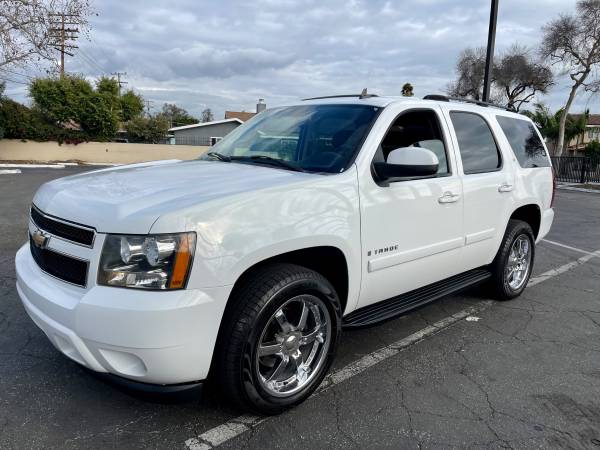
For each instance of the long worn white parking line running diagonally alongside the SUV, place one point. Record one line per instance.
(235, 427)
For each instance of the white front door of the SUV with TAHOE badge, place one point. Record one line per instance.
(412, 230)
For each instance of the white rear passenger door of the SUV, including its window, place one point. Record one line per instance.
(488, 182)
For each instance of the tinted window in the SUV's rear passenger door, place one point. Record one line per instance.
(476, 143)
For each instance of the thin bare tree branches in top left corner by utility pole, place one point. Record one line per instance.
(25, 27)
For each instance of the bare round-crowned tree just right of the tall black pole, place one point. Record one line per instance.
(519, 77)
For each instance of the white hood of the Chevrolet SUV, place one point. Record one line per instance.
(129, 199)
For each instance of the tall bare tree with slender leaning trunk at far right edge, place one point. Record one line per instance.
(573, 42)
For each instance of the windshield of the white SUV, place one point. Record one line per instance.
(313, 138)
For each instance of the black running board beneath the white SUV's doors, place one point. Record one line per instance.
(395, 306)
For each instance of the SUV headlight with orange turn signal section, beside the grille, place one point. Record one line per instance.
(160, 261)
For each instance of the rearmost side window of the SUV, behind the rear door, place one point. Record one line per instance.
(525, 142)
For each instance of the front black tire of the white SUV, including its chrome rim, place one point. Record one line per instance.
(256, 317)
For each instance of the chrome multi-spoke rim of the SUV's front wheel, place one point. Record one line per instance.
(293, 345)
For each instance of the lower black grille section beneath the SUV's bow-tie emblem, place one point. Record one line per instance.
(60, 266)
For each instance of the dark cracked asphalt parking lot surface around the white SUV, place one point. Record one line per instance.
(465, 372)
